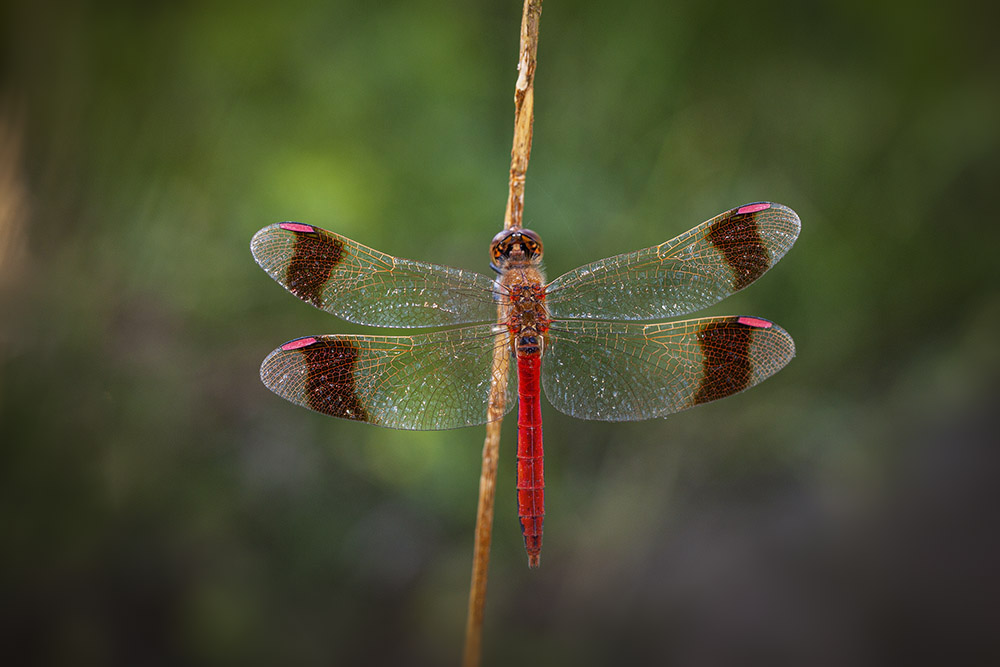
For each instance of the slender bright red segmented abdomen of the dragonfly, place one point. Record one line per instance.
(530, 474)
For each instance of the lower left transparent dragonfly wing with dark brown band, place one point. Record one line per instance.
(424, 382)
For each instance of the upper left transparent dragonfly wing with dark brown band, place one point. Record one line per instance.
(366, 286)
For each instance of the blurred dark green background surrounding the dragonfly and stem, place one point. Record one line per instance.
(159, 506)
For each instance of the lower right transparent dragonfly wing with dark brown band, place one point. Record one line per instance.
(615, 371)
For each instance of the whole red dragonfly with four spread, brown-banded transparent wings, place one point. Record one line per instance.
(585, 337)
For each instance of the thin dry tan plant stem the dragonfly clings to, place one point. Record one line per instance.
(524, 103)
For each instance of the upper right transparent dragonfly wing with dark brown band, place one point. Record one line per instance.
(687, 273)
